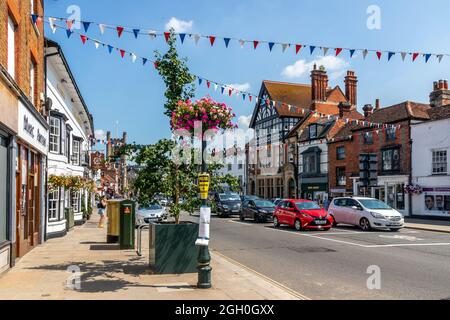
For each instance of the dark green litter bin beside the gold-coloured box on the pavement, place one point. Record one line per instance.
(127, 224)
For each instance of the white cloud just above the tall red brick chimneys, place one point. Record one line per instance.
(331, 63)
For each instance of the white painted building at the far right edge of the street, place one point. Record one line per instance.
(430, 164)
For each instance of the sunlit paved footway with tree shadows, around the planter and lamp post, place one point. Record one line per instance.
(53, 271)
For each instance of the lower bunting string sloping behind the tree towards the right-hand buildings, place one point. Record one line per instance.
(224, 88)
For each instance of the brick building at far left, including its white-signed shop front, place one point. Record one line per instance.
(23, 129)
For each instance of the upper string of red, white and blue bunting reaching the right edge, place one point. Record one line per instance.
(136, 32)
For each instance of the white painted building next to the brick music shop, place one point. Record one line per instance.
(71, 129)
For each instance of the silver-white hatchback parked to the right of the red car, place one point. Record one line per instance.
(367, 213)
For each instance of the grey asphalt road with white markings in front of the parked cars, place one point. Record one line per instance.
(342, 263)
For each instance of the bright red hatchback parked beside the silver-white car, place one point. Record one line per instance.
(302, 215)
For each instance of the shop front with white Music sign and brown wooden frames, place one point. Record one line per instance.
(30, 179)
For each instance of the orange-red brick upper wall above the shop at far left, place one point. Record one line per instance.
(29, 43)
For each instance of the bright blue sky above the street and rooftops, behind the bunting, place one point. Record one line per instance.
(117, 90)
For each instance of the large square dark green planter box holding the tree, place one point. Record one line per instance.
(172, 248)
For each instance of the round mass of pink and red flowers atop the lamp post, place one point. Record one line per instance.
(211, 115)
